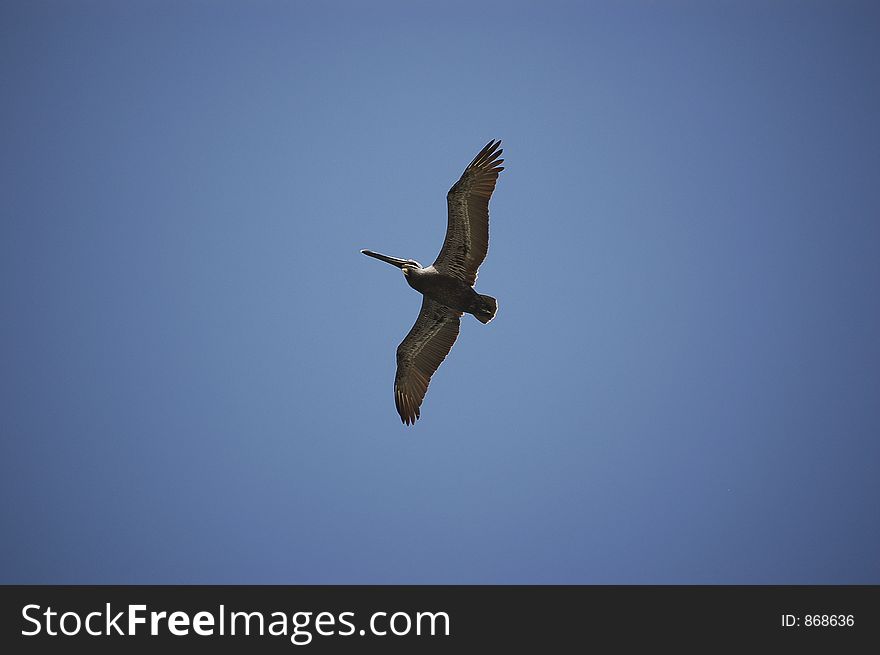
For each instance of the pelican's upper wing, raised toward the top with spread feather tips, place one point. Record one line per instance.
(467, 232)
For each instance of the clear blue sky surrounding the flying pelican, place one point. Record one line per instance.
(682, 384)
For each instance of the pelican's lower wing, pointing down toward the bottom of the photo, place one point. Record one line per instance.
(419, 355)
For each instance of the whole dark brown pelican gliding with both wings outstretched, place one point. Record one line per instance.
(448, 284)
